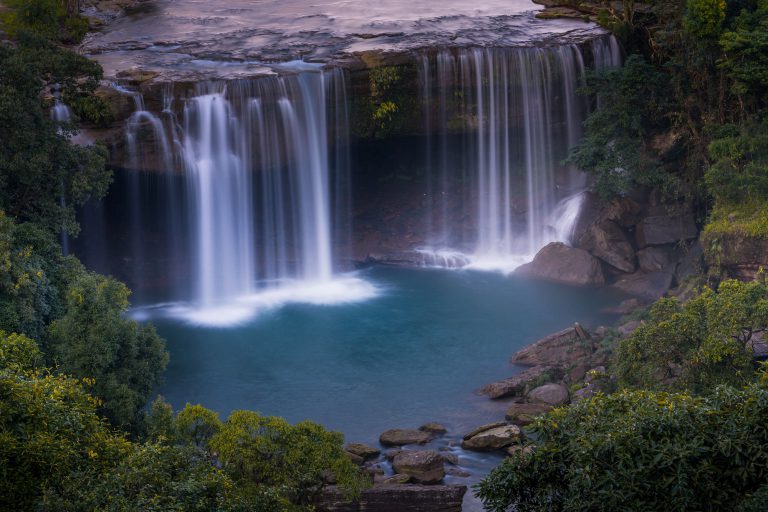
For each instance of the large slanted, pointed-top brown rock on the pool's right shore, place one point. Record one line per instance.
(561, 349)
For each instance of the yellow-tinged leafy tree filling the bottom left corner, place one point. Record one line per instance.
(49, 428)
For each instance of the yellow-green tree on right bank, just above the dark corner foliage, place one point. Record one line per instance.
(697, 345)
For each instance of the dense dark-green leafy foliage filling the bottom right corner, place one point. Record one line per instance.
(641, 451)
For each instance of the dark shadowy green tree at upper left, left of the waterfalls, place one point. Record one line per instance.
(43, 176)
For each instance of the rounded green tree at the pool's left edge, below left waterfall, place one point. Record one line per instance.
(94, 339)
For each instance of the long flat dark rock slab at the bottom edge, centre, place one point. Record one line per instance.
(395, 498)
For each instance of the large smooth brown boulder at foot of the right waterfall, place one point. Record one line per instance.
(558, 263)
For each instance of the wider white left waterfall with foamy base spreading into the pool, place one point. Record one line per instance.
(263, 166)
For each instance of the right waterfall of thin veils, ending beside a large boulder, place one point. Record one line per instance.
(520, 113)
